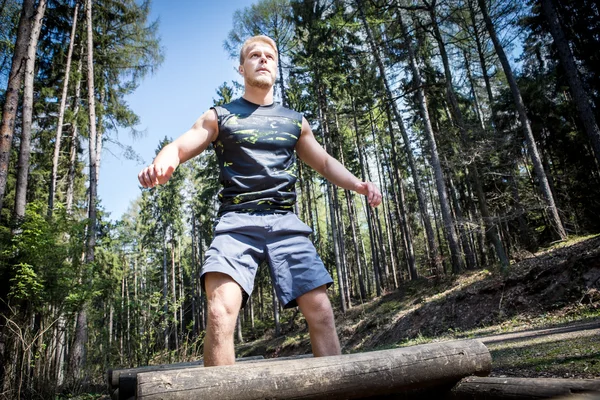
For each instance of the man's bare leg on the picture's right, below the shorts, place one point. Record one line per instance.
(317, 310)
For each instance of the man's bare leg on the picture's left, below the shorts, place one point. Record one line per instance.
(224, 297)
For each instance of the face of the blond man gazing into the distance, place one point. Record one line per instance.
(260, 66)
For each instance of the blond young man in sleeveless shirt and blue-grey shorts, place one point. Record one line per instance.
(256, 142)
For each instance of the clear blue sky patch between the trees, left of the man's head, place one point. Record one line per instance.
(192, 34)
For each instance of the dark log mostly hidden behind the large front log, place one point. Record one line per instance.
(126, 379)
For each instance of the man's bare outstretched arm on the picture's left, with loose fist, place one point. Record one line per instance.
(204, 131)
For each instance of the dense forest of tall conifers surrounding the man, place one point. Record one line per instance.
(478, 120)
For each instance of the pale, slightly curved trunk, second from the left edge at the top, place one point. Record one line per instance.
(25, 148)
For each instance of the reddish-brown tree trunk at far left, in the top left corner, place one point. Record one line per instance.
(11, 102)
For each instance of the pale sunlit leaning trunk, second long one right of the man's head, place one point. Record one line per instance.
(449, 225)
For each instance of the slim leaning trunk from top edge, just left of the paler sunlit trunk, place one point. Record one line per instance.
(435, 259)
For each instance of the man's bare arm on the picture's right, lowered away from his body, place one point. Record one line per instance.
(311, 152)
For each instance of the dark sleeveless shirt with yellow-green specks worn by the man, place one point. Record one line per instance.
(257, 161)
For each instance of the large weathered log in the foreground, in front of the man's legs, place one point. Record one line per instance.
(338, 377)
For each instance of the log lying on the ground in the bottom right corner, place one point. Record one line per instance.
(490, 388)
